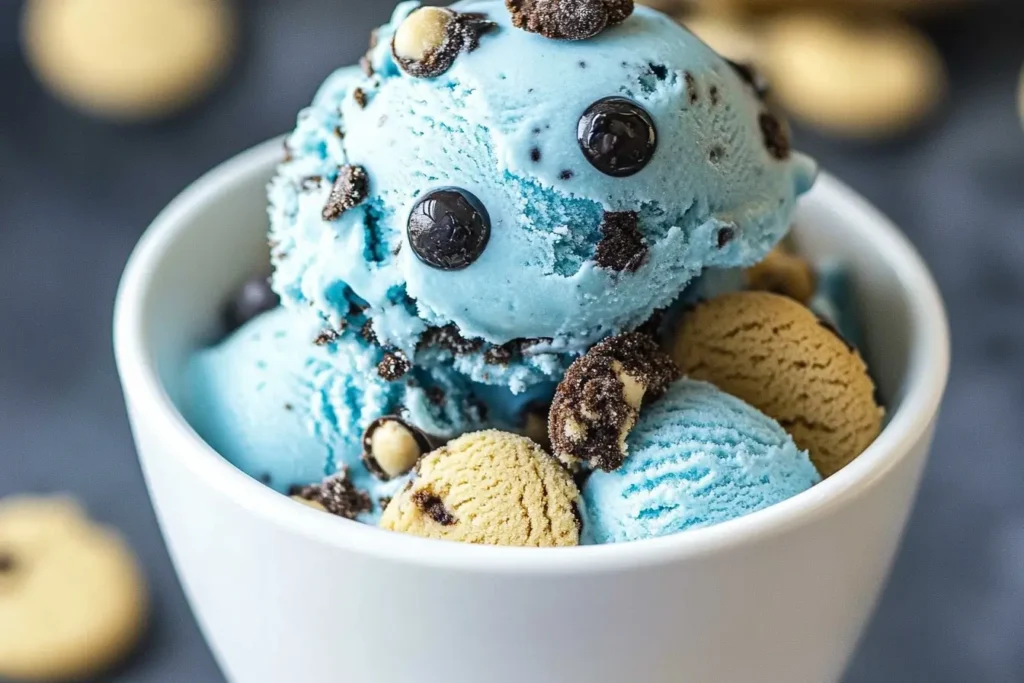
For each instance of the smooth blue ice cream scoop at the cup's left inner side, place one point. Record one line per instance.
(290, 412)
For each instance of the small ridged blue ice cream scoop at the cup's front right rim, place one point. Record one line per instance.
(698, 457)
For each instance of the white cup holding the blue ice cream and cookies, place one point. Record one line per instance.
(286, 593)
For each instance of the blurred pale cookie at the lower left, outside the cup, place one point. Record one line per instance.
(72, 596)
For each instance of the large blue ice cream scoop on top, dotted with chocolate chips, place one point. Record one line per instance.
(535, 197)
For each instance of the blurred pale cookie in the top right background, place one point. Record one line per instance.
(852, 78)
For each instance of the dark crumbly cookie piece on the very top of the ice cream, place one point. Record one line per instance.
(569, 20)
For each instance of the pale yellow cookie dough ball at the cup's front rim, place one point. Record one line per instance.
(489, 488)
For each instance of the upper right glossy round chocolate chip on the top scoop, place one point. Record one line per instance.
(617, 137)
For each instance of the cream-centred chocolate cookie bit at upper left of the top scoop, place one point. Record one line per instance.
(428, 44)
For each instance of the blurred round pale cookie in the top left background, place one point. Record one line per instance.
(129, 60)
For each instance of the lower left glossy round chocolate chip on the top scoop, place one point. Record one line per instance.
(449, 229)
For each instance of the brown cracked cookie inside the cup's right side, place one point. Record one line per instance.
(780, 358)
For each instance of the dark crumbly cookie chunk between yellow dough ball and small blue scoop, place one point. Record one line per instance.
(598, 403)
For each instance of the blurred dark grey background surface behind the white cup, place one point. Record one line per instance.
(76, 194)
